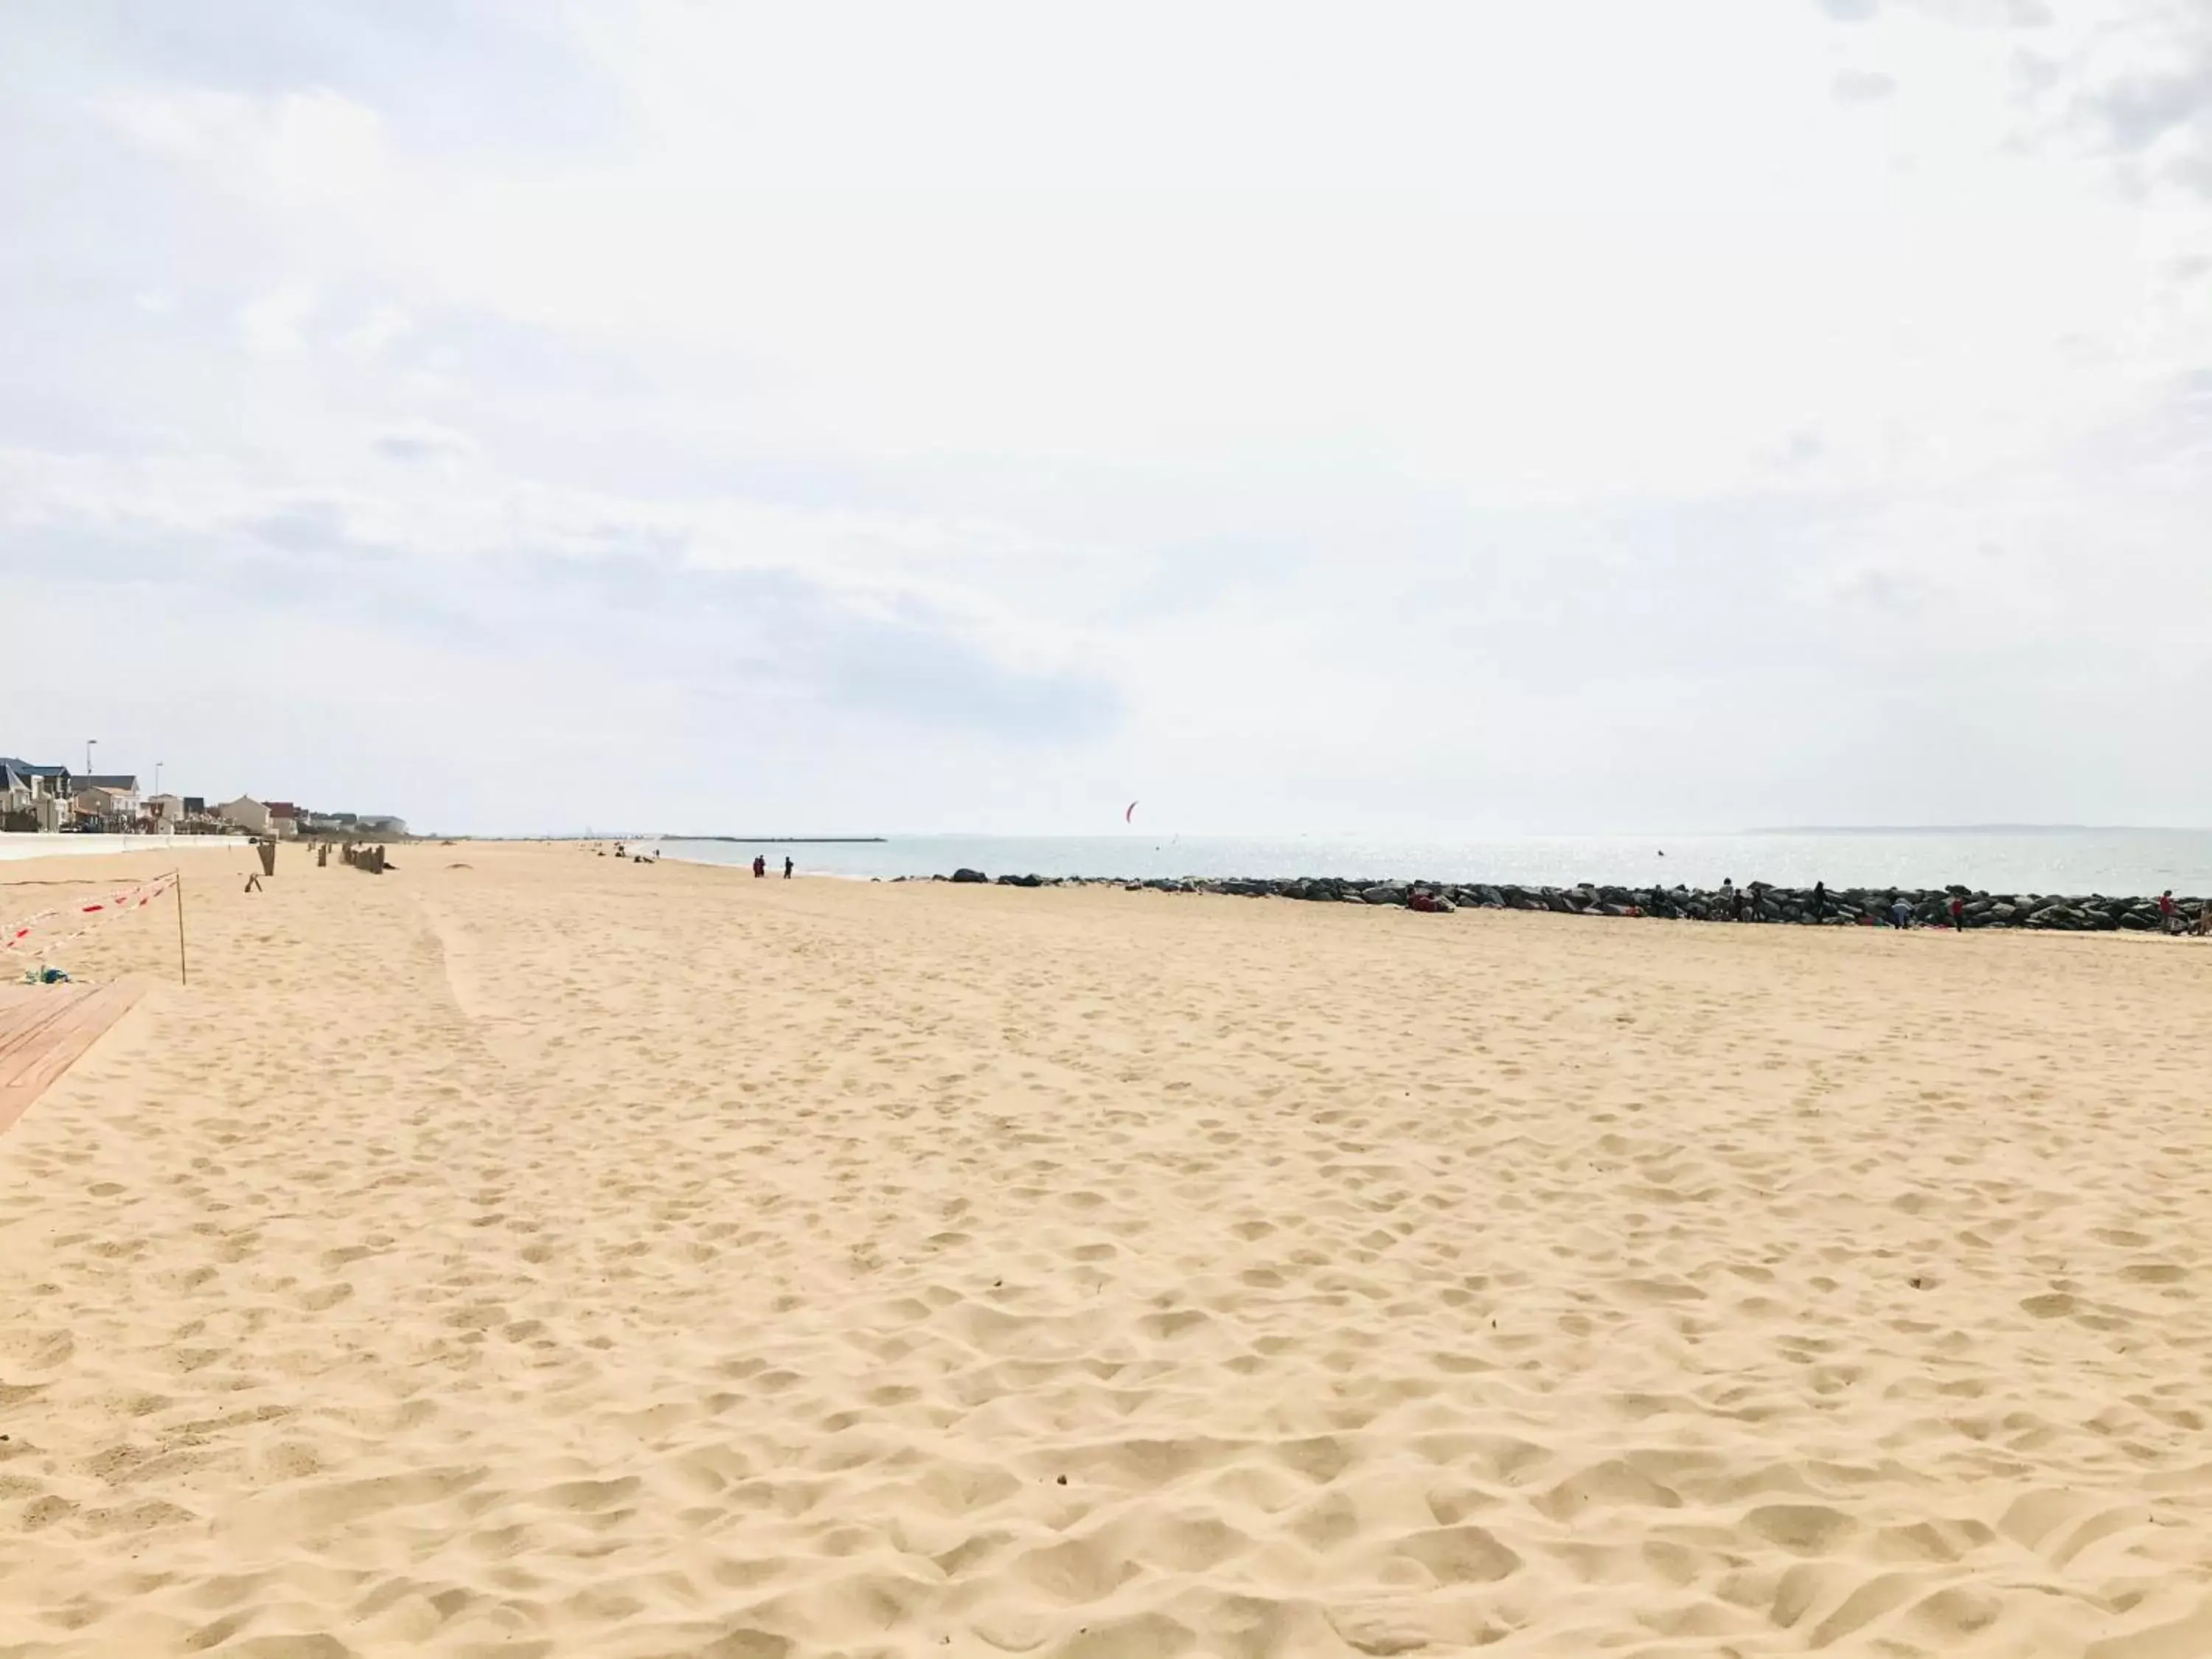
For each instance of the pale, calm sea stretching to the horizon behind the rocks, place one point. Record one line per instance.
(2027, 862)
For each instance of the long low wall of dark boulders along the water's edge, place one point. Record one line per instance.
(1751, 904)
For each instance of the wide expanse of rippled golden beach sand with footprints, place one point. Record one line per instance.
(530, 1253)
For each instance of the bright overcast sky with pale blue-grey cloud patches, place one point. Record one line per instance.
(1311, 419)
